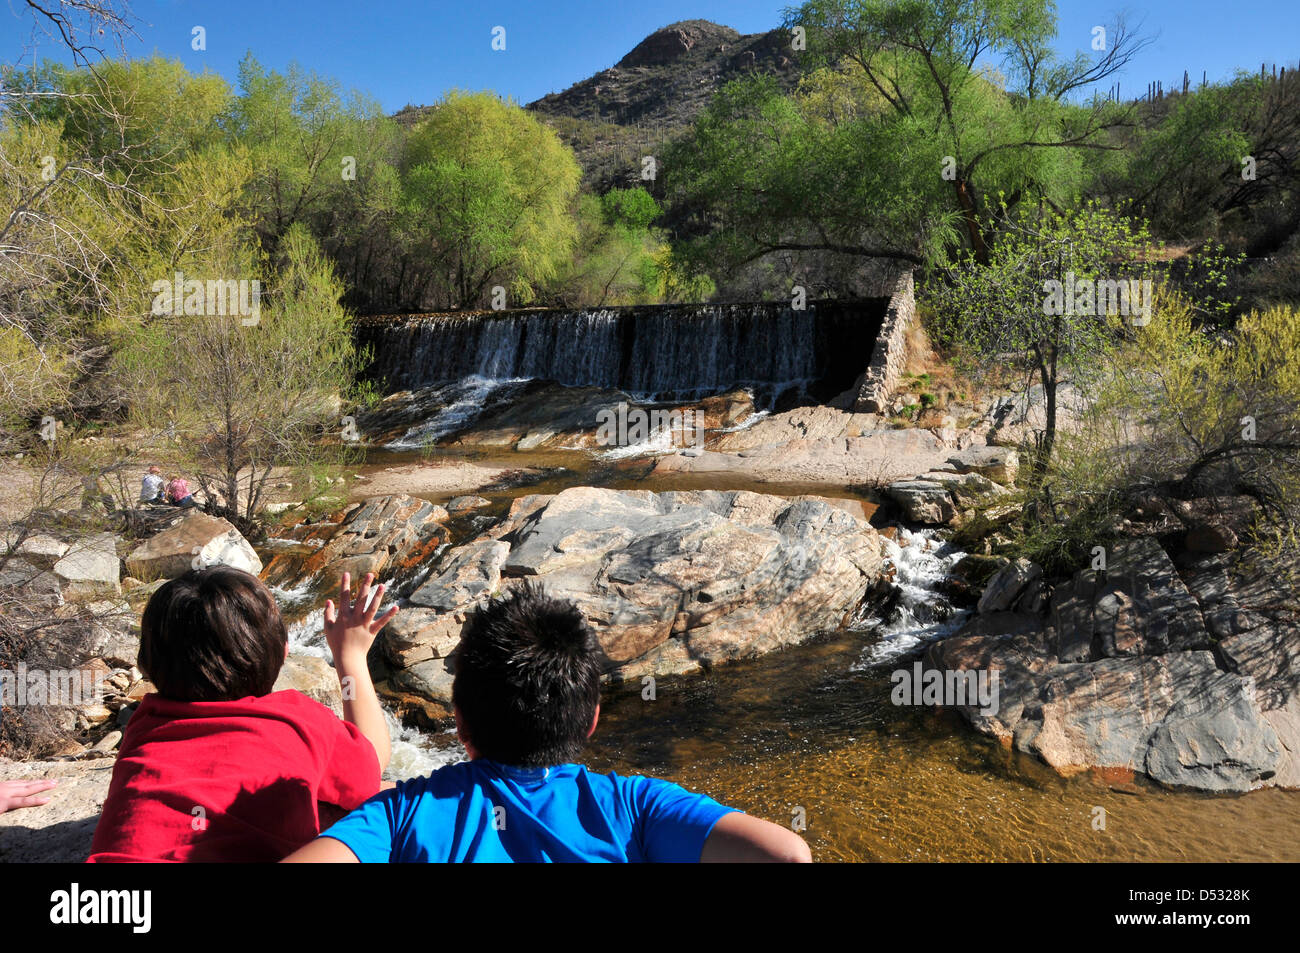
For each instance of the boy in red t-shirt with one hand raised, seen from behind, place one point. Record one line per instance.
(215, 766)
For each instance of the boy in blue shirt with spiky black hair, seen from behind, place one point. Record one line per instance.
(527, 698)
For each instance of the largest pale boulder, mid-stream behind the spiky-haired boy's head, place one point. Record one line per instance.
(725, 575)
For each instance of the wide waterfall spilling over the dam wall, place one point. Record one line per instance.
(668, 353)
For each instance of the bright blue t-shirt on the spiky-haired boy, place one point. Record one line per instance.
(480, 811)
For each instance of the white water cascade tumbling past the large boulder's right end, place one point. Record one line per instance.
(920, 614)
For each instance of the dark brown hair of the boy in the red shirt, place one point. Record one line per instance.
(213, 635)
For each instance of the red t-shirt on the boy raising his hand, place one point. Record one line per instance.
(258, 768)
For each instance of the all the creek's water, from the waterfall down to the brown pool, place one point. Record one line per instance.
(807, 737)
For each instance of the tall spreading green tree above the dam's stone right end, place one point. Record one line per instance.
(913, 115)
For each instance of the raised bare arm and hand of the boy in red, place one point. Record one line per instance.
(350, 630)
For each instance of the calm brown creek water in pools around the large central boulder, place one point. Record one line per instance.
(876, 782)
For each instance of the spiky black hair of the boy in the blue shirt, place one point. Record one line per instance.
(528, 679)
